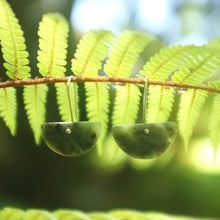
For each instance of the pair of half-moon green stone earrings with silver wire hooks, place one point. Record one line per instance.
(139, 140)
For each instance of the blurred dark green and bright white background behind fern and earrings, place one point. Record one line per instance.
(178, 182)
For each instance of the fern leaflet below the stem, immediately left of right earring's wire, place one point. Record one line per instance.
(126, 104)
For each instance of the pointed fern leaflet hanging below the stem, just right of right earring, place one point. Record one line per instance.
(190, 106)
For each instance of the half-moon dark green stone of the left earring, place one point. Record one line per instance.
(71, 139)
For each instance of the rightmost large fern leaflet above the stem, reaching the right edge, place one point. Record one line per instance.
(202, 63)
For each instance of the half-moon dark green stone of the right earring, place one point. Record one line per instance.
(145, 140)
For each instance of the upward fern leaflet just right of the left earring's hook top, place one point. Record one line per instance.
(91, 51)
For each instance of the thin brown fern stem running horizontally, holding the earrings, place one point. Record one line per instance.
(119, 80)
